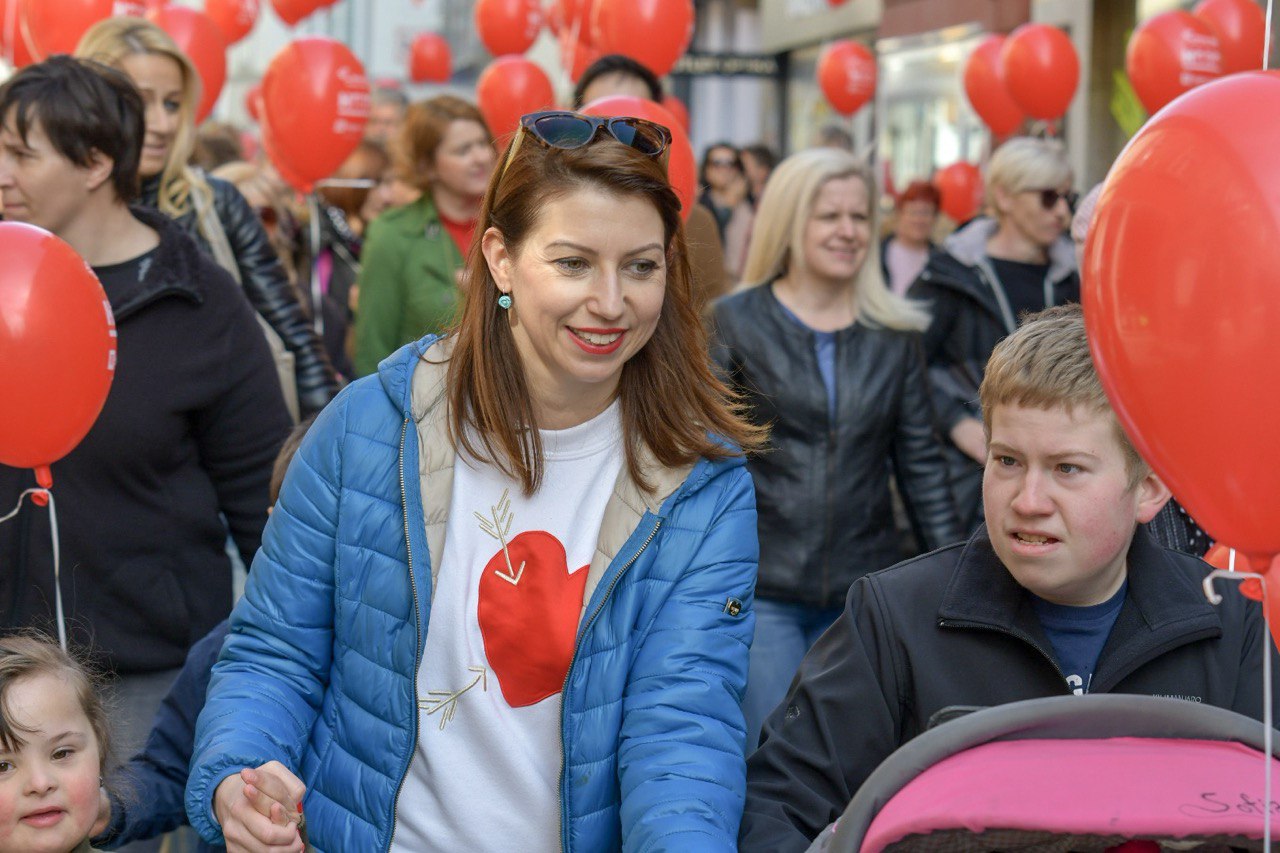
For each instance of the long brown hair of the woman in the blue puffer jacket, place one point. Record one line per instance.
(670, 398)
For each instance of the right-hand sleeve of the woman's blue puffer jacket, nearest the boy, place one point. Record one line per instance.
(680, 756)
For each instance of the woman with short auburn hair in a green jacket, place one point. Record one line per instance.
(409, 285)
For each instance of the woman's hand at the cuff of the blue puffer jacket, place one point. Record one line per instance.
(258, 810)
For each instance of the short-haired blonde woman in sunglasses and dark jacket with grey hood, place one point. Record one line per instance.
(986, 277)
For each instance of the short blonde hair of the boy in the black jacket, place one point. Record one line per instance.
(1046, 364)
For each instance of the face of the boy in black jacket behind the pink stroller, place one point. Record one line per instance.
(1059, 508)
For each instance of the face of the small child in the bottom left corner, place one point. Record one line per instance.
(49, 787)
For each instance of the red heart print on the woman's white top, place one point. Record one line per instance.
(528, 612)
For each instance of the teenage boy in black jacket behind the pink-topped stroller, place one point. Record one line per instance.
(1062, 592)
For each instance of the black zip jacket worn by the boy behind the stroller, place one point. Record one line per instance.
(953, 628)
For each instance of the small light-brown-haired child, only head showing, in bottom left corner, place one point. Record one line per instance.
(54, 747)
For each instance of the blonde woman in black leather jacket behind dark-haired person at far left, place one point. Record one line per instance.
(208, 209)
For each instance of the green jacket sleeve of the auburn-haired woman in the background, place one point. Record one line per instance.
(382, 298)
